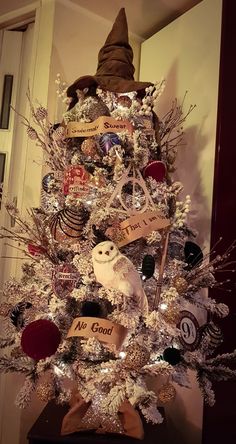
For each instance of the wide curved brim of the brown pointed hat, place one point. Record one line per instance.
(109, 83)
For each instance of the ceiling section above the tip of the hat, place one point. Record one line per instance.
(145, 17)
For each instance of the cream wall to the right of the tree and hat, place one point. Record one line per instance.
(186, 53)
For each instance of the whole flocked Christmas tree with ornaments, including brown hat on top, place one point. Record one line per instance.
(112, 267)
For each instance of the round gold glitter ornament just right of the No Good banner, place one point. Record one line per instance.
(136, 357)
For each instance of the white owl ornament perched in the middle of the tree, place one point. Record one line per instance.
(114, 270)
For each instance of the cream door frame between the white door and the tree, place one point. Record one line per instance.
(42, 13)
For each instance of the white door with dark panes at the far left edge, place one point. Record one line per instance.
(15, 60)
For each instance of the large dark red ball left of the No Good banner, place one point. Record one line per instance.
(40, 339)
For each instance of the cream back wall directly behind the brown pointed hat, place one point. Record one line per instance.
(78, 36)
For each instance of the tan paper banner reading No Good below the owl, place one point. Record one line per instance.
(102, 329)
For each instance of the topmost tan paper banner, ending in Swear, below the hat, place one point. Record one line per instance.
(101, 125)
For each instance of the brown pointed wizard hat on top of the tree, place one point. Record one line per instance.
(115, 69)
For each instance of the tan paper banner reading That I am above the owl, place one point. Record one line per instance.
(137, 226)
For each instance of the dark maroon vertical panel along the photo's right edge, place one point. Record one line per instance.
(219, 420)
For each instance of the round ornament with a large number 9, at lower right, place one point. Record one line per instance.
(189, 330)
